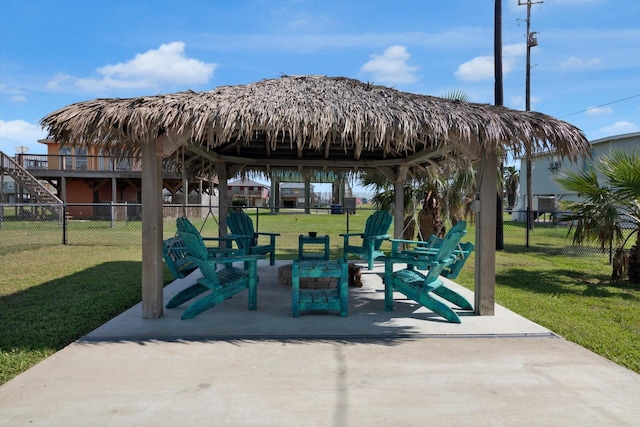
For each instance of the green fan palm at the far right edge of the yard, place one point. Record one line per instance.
(608, 208)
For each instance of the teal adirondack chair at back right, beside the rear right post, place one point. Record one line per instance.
(375, 232)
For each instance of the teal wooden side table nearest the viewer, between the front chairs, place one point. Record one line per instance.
(319, 299)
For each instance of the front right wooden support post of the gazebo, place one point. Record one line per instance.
(485, 273)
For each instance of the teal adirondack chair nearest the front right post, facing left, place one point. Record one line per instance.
(419, 286)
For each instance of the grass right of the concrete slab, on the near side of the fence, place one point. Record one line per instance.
(572, 297)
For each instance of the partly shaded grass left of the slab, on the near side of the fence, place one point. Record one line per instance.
(50, 297)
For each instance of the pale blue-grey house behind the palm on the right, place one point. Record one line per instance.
(547, 193)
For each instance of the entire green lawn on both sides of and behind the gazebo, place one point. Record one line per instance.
(51, 295)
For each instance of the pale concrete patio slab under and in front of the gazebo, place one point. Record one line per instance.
(232, 367)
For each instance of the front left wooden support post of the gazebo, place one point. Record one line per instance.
(152, 280)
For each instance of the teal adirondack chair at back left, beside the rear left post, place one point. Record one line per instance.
(241, 227)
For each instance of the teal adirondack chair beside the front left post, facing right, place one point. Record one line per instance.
(222, 284)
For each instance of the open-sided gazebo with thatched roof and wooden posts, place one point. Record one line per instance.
(310, 124)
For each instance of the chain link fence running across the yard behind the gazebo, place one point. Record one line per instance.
(25, 226)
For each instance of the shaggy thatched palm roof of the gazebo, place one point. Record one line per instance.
(318, 122)
